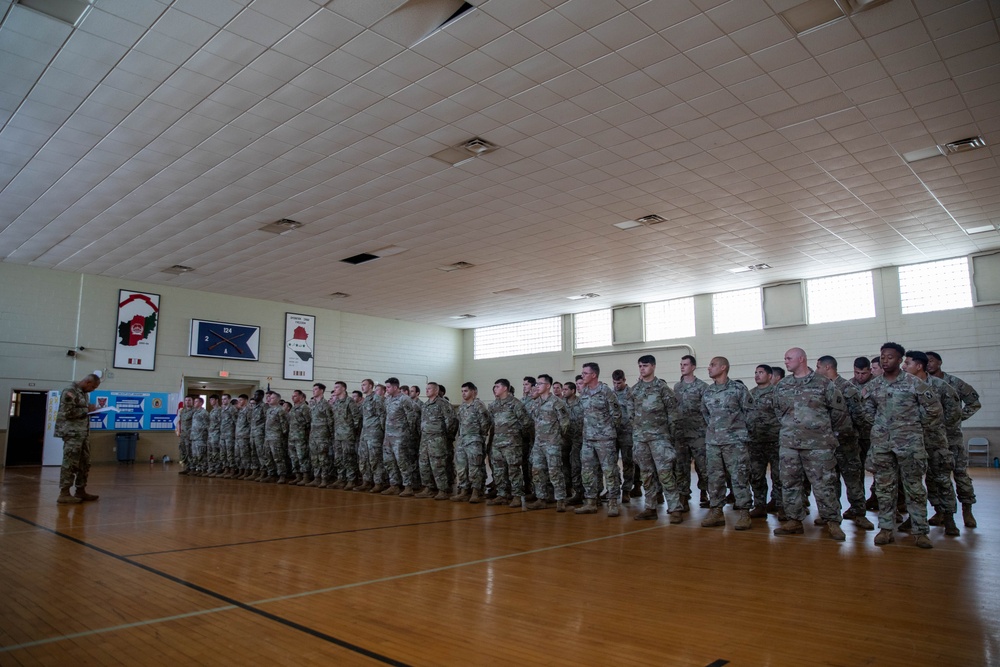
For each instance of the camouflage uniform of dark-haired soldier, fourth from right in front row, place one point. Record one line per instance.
(655, 408)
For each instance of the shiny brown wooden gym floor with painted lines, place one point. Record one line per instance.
(173, 570)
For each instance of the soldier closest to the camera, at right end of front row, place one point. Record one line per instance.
(900, 407)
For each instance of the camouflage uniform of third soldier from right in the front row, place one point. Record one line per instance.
(724, 407)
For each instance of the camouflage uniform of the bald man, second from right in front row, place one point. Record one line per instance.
(810, 410)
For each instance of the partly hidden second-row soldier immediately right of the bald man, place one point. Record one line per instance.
(848, 453)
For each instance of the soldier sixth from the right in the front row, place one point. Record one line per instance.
(551, 420)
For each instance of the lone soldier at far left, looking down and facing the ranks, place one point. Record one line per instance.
(73, 426)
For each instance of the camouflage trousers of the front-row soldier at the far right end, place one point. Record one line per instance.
(905, 465)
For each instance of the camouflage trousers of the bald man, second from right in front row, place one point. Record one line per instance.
(819, 468)
